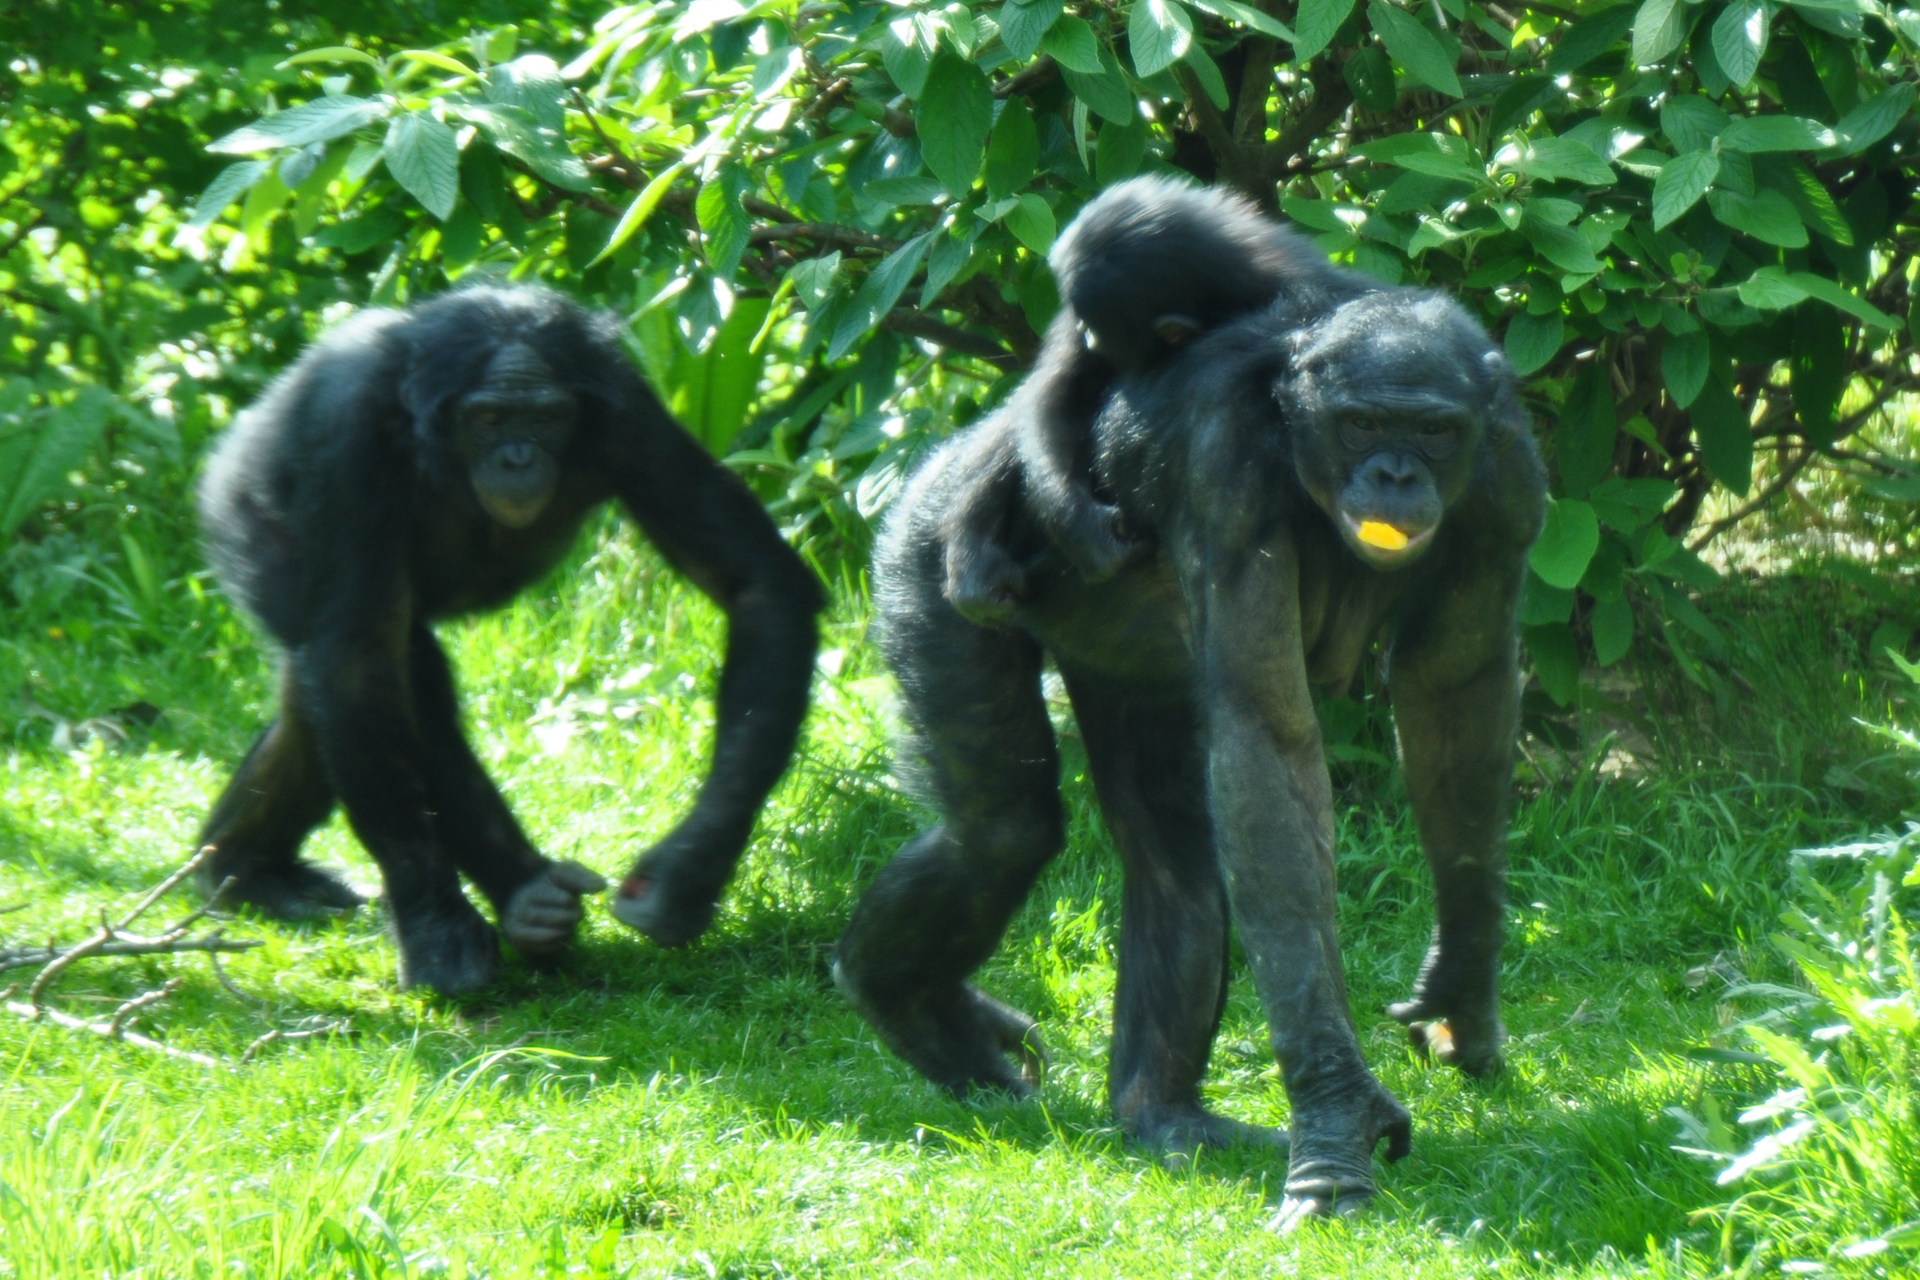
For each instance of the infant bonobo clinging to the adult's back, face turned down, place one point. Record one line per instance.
(1145, 270)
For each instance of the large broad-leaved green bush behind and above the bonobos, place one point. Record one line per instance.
(1691, 224)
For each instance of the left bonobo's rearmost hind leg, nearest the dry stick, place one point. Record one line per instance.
(276, 799)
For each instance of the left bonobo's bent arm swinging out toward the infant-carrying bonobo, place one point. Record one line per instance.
(711, 527)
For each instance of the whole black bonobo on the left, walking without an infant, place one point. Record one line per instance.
(431, 463)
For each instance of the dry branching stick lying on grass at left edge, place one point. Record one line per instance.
(116, 941)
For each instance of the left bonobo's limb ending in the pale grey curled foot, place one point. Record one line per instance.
(537, 901)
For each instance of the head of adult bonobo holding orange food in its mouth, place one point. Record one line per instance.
(1389, 400)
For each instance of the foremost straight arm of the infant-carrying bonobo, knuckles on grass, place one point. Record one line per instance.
(1274, 820)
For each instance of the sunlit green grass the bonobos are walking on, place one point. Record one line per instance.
(719, 1112)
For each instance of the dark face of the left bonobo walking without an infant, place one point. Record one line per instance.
(510, 433)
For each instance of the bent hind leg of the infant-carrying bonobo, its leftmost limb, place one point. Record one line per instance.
(940, 909)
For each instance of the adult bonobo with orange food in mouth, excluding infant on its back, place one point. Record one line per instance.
(1341, 467)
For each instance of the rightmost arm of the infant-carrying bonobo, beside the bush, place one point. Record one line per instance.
(1454, 684)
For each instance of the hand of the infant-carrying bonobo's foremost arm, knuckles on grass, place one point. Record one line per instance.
(1330, 1172)
